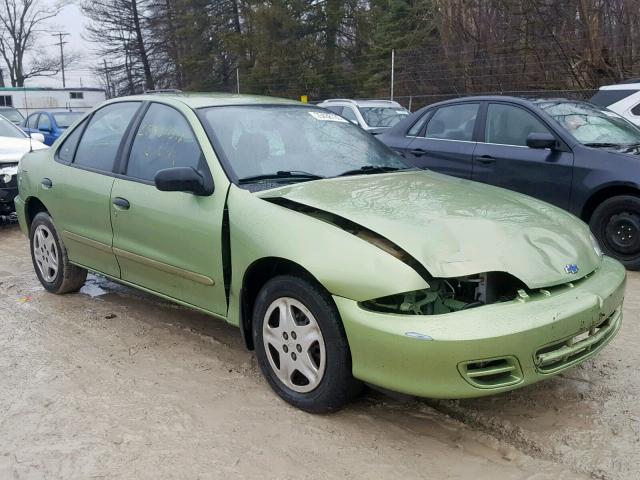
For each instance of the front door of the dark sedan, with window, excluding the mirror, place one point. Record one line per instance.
(503, 158)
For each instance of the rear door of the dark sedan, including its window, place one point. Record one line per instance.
(447, 143)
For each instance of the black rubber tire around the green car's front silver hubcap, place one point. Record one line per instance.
(337, 386)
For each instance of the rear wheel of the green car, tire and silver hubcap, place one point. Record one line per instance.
(50, 260)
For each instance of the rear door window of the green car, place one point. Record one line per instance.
(101, 140)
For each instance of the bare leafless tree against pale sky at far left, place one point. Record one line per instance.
(20, 21)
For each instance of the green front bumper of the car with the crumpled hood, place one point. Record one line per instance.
(489, 349)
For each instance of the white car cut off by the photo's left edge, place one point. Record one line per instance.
(14, 143)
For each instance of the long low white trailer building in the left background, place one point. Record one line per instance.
(34, 98)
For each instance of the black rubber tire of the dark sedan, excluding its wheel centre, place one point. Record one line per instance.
(598, 223)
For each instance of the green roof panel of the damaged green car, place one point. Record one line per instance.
(200, 100)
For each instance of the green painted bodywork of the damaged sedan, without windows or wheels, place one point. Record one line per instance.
(198, 251)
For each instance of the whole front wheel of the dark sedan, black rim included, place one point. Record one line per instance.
(616, 225)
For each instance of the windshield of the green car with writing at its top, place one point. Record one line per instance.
(308, 142)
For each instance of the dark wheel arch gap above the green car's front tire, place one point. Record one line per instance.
(255, 277)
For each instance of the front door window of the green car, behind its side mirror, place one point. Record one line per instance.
(164, 140)
